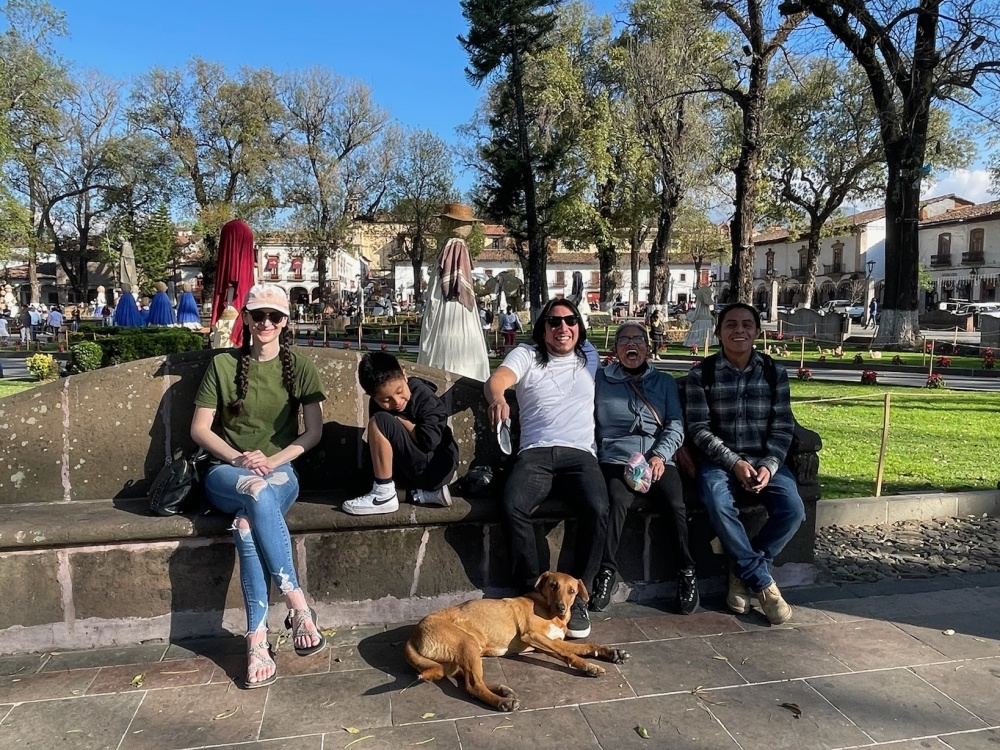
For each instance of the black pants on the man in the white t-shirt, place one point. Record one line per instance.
(577, 475)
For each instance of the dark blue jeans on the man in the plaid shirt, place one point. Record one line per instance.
(785, 513)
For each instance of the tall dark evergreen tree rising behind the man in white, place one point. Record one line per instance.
(502, 34)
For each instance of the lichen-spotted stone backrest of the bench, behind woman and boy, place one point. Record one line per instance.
(105, 434)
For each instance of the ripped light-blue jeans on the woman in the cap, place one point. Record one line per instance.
(266, 547)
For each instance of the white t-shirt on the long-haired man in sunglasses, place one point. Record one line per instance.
(556, 402)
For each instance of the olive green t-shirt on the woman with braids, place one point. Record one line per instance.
(268, 422)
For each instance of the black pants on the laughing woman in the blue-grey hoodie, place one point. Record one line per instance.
(668, 495)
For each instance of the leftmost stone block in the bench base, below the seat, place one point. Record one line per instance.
(31, 591)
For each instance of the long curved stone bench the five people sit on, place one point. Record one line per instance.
(82, 565)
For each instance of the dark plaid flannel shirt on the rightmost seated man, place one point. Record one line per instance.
(736, 419)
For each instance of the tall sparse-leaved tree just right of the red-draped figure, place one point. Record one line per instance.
(333, 159)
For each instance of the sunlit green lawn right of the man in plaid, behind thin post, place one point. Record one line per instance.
(938, 440)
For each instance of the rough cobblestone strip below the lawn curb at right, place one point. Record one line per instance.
(909, 549)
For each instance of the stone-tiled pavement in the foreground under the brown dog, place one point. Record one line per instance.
(901, 664)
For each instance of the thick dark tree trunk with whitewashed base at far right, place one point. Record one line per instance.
(898, 322)
